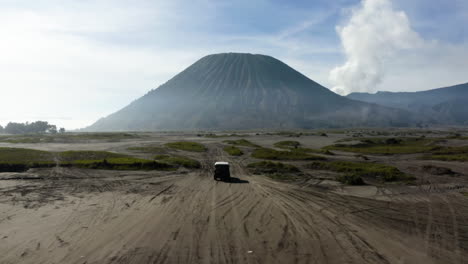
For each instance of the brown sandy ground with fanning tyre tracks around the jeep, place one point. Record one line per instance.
(190, 218)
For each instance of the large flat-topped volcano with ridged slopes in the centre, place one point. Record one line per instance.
(233, 91)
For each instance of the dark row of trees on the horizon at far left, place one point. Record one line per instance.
(38, 127)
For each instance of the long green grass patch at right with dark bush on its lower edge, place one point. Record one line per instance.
(353, 170)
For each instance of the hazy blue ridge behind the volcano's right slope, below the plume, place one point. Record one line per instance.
(446, 105)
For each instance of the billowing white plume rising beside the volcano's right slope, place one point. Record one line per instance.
(374, 34)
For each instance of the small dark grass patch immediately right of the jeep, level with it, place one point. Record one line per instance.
(274, 170)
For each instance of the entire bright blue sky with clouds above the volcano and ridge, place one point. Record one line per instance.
(72, 62)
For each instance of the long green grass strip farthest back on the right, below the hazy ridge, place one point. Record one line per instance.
(387, 146)
